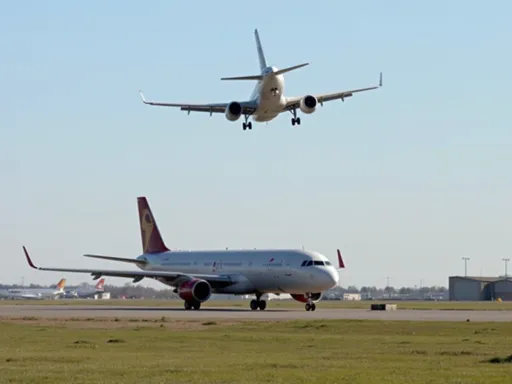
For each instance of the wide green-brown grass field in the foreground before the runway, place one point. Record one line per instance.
(340, 351)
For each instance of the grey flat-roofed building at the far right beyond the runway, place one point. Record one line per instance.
(470, 288)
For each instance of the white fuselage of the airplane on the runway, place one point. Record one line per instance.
(264, 271)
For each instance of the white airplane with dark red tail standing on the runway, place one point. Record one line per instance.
(196, 274)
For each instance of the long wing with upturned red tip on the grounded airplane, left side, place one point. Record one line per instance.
(173, 278)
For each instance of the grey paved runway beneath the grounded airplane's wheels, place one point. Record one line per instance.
(60, 311)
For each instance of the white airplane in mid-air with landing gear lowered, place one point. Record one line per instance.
(267, 100)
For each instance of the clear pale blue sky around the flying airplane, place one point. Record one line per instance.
(405, 180)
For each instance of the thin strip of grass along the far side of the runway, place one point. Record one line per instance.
(446, 305)
